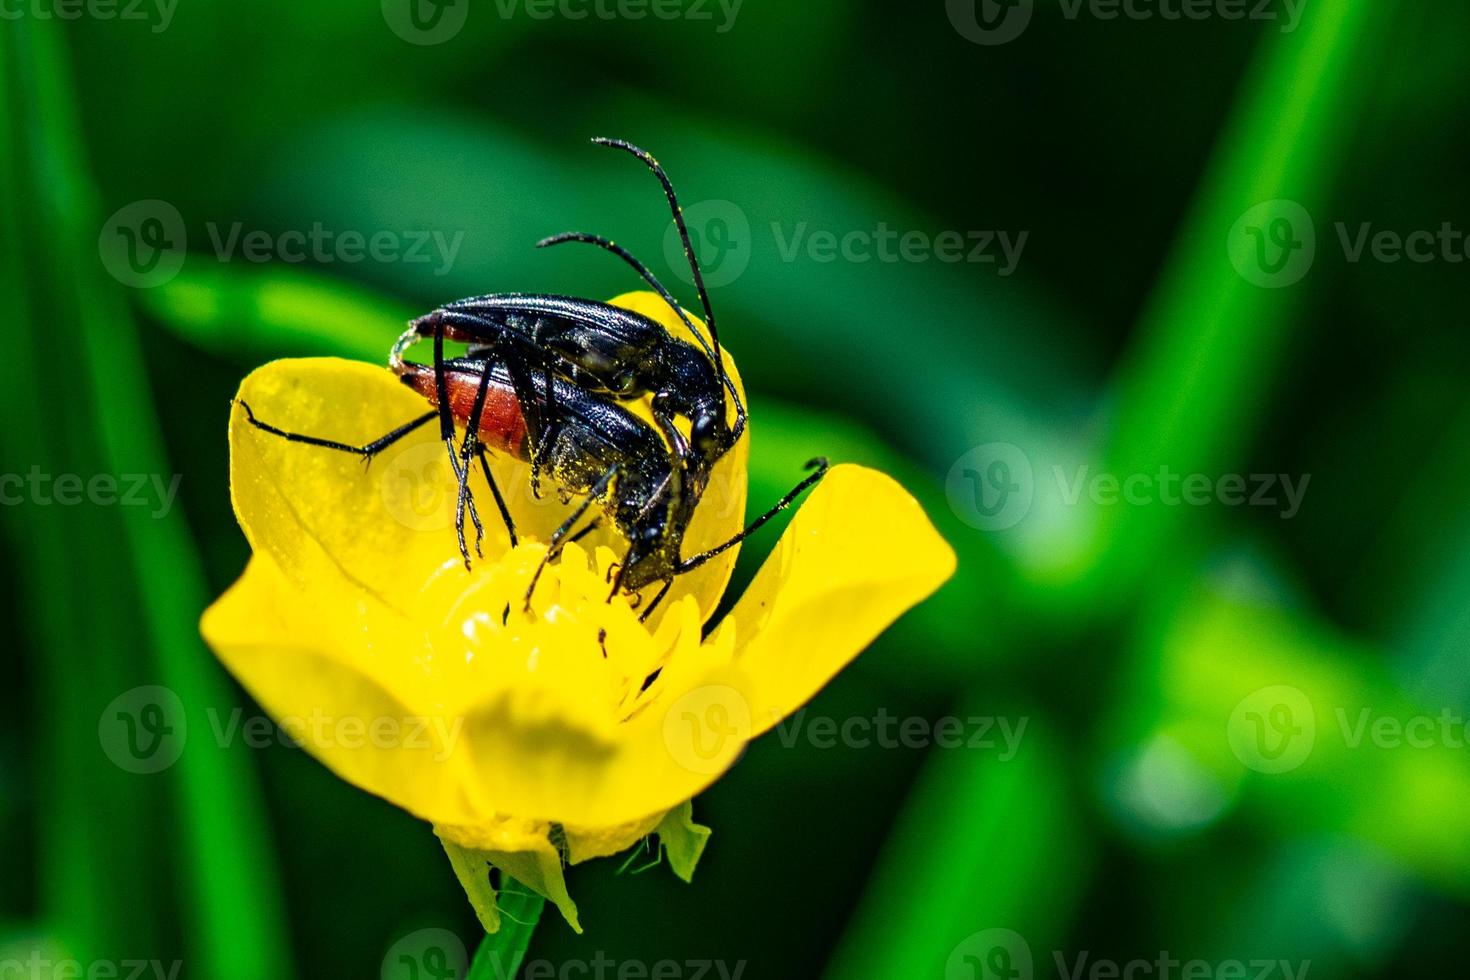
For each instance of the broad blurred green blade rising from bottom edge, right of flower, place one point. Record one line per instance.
(981, 846)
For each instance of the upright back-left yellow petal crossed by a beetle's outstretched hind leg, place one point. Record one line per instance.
(330, 521)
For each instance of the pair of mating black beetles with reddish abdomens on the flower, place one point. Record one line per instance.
(545, 380)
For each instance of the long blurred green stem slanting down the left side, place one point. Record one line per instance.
(226, 862)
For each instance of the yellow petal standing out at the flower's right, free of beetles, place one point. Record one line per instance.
(858, 555)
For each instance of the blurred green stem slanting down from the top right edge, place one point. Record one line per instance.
(1211, 343)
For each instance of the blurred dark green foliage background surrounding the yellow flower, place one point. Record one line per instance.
(1244, 729)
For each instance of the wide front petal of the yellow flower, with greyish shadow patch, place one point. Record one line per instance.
(474, 738)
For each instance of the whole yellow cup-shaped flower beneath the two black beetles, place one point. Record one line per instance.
(564, 734)
